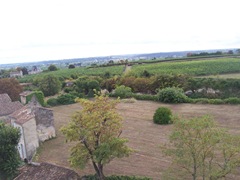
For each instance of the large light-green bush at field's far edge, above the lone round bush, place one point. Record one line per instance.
(172, 95)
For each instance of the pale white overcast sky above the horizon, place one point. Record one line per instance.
(34, 30)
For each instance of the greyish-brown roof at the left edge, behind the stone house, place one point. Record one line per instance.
(7, 106)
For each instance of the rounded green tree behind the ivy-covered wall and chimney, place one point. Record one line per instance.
(49, 85)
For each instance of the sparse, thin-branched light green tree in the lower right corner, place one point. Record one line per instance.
(201, 150)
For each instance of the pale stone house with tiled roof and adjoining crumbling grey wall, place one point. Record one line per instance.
(36, 124)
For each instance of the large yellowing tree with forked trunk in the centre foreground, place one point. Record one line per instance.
(96, 129)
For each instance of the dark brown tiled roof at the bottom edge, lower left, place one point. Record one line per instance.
(46, 171)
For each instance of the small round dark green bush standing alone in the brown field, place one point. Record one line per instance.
(163, 115)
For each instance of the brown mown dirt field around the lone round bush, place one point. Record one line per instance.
(144, 136)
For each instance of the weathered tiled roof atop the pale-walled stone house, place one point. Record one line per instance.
(22, 115)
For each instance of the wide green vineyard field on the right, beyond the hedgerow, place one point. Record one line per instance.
(197, 67)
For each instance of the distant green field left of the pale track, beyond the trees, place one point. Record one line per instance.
(66, 73)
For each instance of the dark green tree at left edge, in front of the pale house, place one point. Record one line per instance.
(9, 158)
